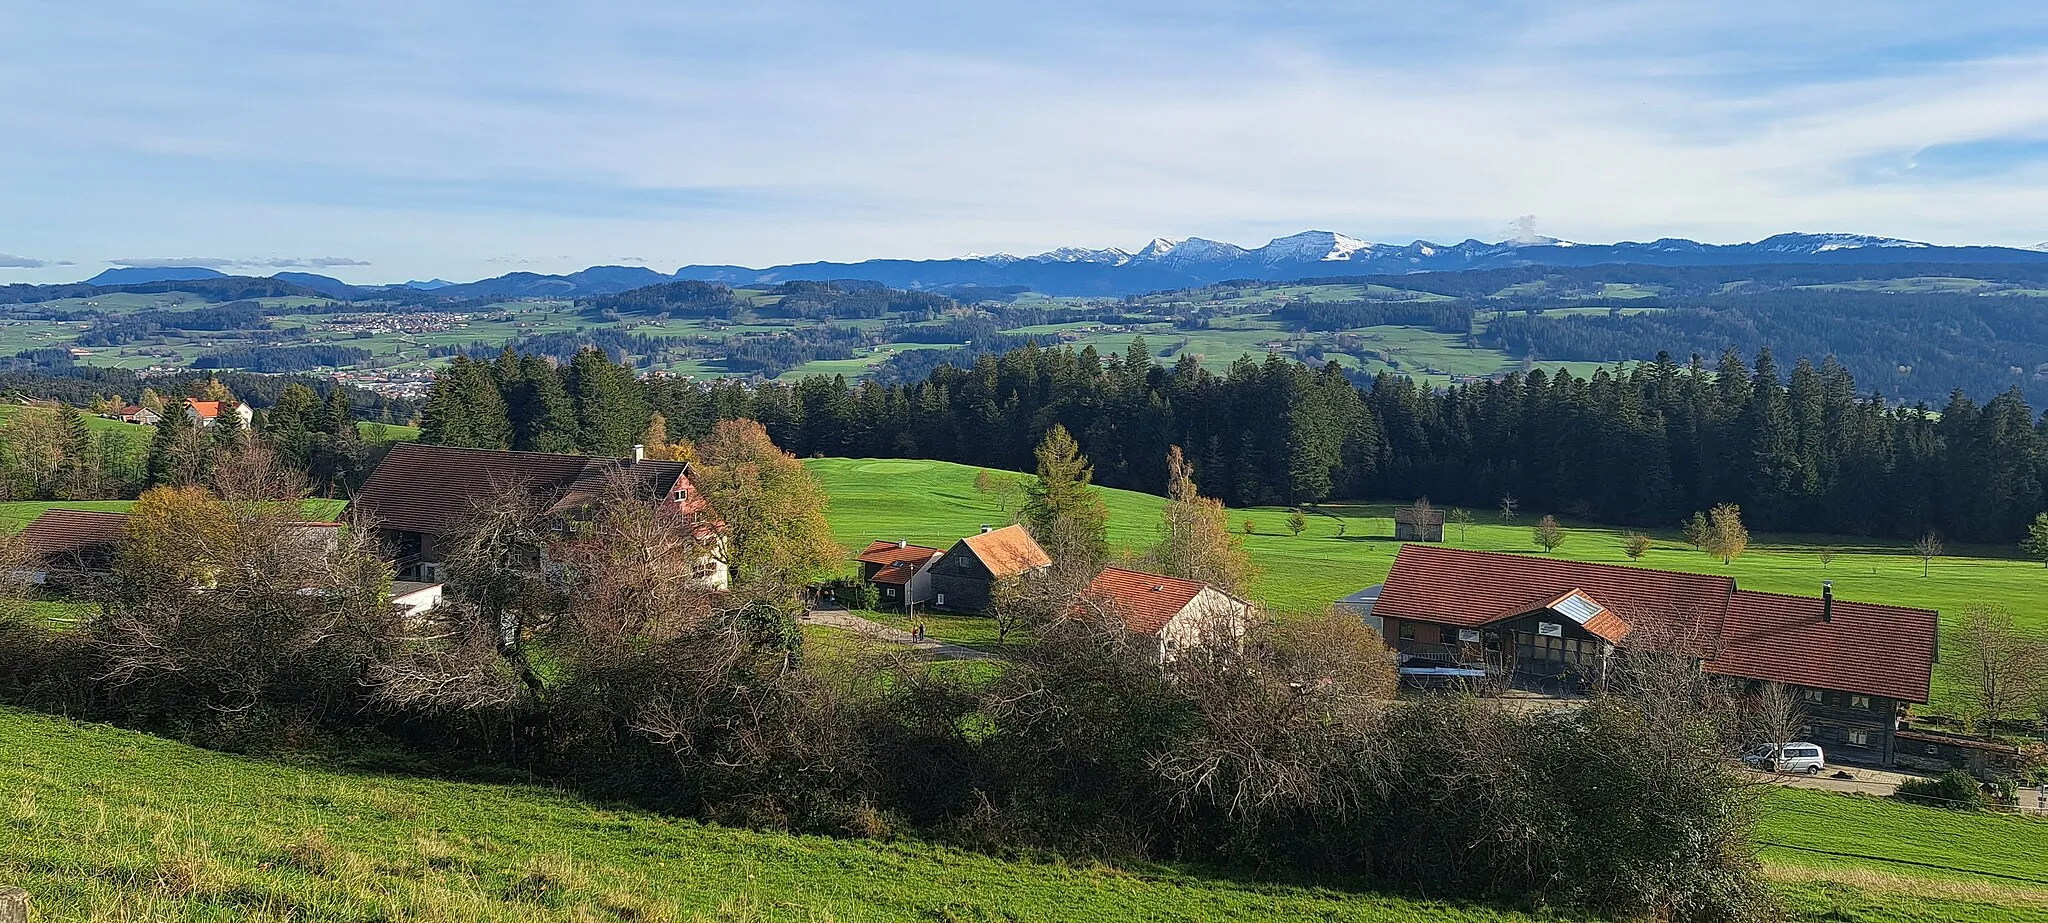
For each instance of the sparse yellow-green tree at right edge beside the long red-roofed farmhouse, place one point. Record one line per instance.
(1998, 668)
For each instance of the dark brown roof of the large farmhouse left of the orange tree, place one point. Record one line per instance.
(423, 488)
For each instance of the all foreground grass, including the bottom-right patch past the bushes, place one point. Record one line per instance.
(114, 826)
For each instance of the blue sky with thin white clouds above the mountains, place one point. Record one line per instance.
(407, 140)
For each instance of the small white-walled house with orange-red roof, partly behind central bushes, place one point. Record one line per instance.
(1179, 615)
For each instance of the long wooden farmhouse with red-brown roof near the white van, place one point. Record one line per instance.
(1555, 625)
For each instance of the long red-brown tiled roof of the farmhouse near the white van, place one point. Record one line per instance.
(1865, 648)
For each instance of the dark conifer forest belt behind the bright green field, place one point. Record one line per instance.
(1799, 449)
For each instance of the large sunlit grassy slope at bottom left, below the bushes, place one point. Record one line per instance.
(105, 824)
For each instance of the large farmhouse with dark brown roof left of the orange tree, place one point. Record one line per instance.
(421, 496)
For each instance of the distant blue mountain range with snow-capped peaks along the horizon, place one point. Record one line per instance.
(1183, 263)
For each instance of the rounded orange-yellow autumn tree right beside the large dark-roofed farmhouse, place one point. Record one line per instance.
(777, 539)
